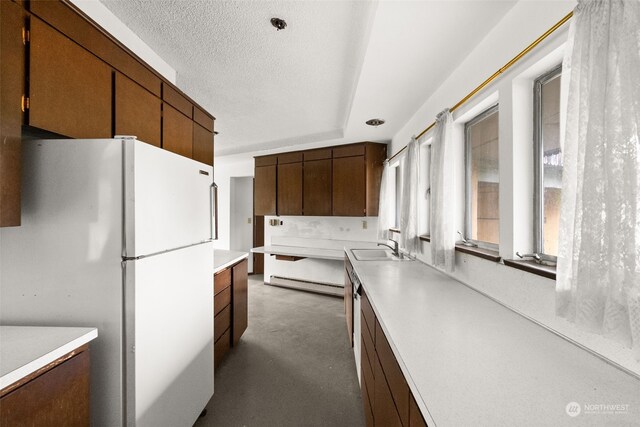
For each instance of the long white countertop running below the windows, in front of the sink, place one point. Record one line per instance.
(470, 361)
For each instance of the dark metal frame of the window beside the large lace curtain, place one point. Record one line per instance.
(538, 163)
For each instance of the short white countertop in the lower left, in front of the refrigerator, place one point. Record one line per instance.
(25, 349)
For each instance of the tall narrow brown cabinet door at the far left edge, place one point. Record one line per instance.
(11, 91)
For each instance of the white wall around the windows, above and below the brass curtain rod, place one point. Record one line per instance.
(531, 295)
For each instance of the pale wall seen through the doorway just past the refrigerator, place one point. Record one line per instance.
(241, 215)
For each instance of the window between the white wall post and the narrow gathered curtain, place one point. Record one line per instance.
(483, 179)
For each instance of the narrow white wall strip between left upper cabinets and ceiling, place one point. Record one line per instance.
(107, 20)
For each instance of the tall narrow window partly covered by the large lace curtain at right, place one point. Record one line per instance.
(547, 162)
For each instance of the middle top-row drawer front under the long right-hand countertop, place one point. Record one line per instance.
(395, 379)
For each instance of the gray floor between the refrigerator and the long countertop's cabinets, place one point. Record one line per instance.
(293, 366)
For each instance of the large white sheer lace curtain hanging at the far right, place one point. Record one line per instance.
(598, 283)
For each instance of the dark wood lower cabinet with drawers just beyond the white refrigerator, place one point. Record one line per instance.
(230, 302)
